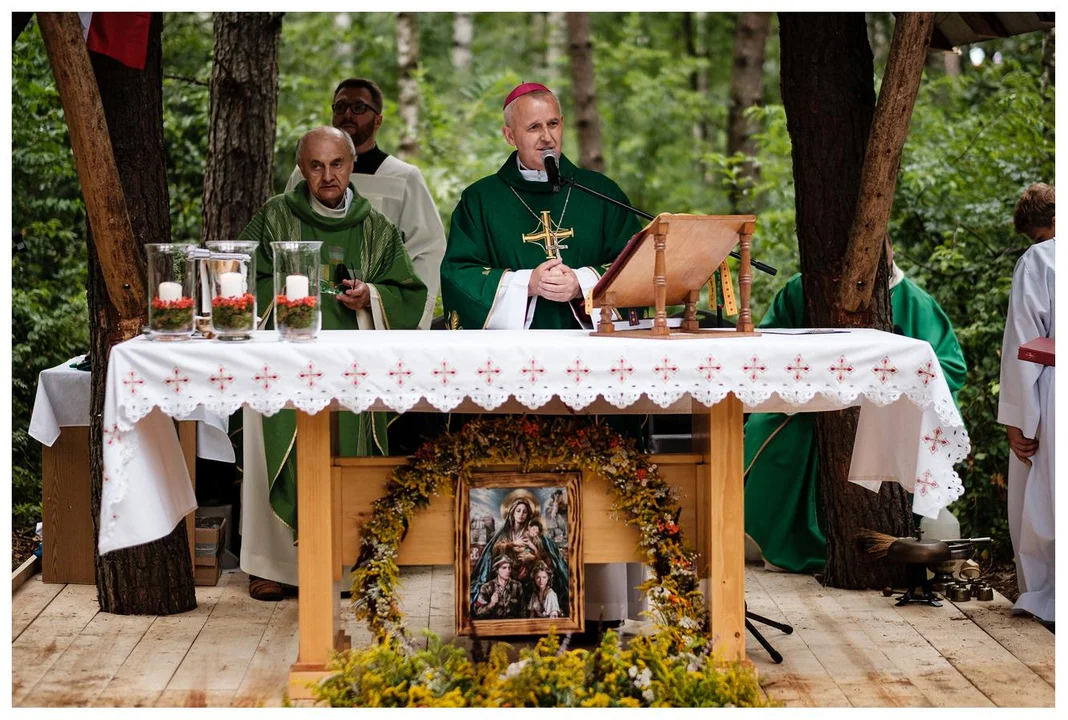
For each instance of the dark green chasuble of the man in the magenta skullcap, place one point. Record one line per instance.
(486, 240)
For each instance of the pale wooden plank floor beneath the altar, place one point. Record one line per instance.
(849, 649)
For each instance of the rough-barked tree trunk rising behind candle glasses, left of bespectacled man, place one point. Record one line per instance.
(241, 149)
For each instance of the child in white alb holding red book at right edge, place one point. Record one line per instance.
(1027, 406)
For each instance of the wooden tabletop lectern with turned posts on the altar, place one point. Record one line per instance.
(667, 263)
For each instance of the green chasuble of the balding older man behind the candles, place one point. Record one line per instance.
(366, 240)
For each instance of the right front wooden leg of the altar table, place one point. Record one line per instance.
(721, 512)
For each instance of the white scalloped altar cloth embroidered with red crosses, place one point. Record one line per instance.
(909, 432)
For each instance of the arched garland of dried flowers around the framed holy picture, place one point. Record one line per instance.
(641, 495)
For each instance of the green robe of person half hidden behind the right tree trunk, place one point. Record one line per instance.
(782, 511)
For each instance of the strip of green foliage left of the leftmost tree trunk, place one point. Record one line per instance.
(50, 322)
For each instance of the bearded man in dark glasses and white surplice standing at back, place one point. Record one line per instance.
(396, 189)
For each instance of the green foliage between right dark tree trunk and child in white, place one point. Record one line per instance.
(976, 144)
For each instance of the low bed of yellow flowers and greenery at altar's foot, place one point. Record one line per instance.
(649, 672)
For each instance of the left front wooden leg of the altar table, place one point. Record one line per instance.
(319, 606)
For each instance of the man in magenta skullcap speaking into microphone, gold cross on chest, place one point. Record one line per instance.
(521, 256)
